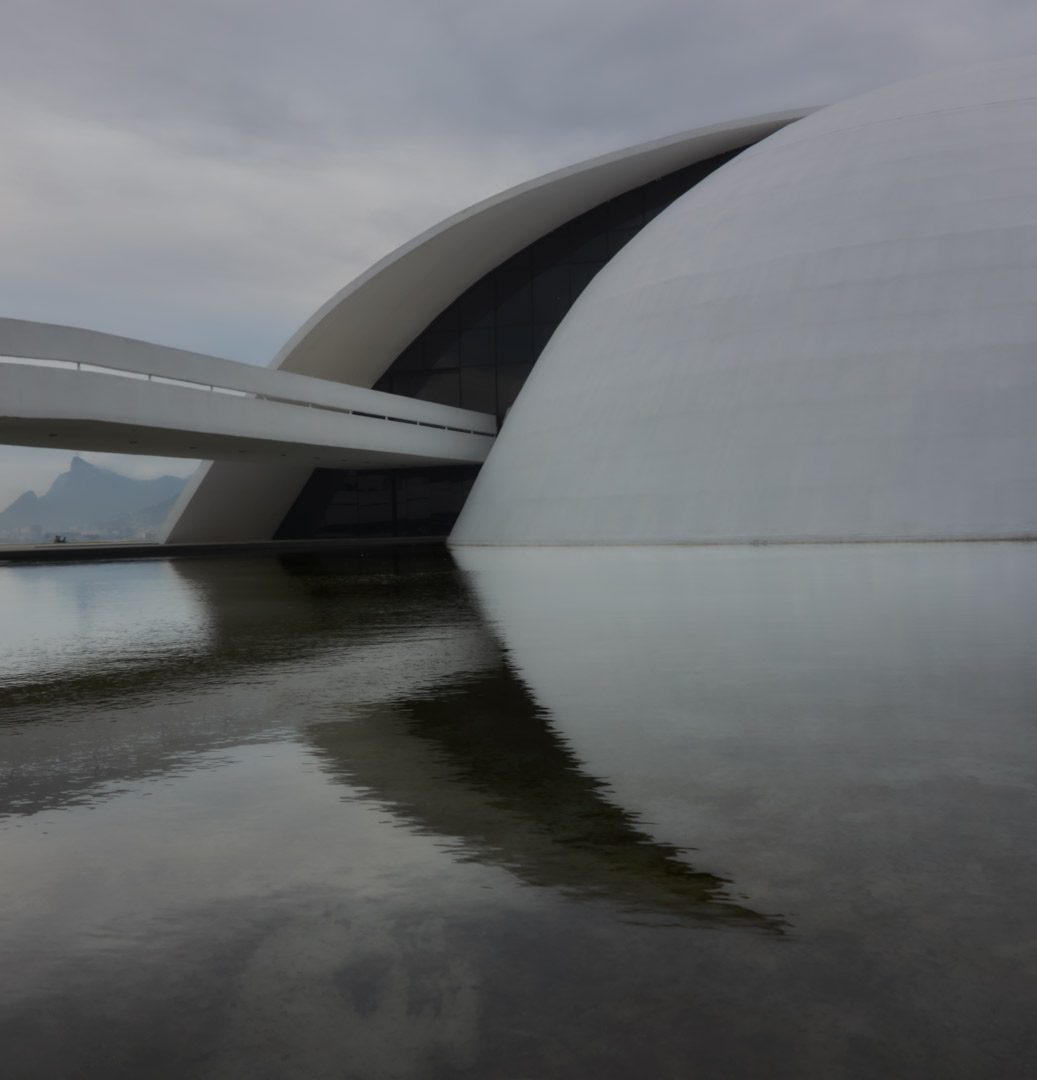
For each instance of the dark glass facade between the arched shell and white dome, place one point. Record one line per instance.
(477, 355)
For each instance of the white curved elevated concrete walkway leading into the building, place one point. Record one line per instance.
(105, 394)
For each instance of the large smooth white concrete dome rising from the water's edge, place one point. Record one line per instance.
(834, 336)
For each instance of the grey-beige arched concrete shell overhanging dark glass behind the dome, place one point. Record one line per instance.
(360, 332)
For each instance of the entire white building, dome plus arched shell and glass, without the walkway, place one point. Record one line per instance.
(810, 326)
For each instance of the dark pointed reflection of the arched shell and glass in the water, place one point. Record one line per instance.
(479, 764)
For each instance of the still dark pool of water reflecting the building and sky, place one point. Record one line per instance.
(546, 814)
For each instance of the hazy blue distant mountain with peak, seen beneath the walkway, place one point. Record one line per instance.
(88, 503)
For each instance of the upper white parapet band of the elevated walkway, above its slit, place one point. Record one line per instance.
(23, 342)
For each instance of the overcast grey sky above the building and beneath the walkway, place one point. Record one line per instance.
(207, 173)
